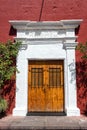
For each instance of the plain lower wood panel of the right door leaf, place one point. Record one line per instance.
(54, 99)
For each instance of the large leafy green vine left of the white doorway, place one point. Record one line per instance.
(8, 54)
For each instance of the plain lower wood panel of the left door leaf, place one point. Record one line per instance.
(36, 100)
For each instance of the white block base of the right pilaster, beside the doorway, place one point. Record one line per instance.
(73, 112)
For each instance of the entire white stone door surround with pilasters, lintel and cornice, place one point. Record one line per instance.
(46, 41)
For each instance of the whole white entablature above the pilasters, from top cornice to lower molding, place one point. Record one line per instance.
(63, 30)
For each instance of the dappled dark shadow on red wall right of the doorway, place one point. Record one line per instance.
(82, 86)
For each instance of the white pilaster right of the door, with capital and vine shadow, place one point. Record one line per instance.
(71, 108)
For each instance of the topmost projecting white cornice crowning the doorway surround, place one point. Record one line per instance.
(30, 25)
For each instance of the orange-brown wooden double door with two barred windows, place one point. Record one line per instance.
(46, 86)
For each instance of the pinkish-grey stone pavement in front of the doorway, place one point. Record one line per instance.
(43, 123)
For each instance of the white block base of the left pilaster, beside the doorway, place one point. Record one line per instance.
(19, 112)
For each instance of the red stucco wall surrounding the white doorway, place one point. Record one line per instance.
(47, 10)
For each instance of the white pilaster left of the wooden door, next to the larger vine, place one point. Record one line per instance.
(21, 84)
